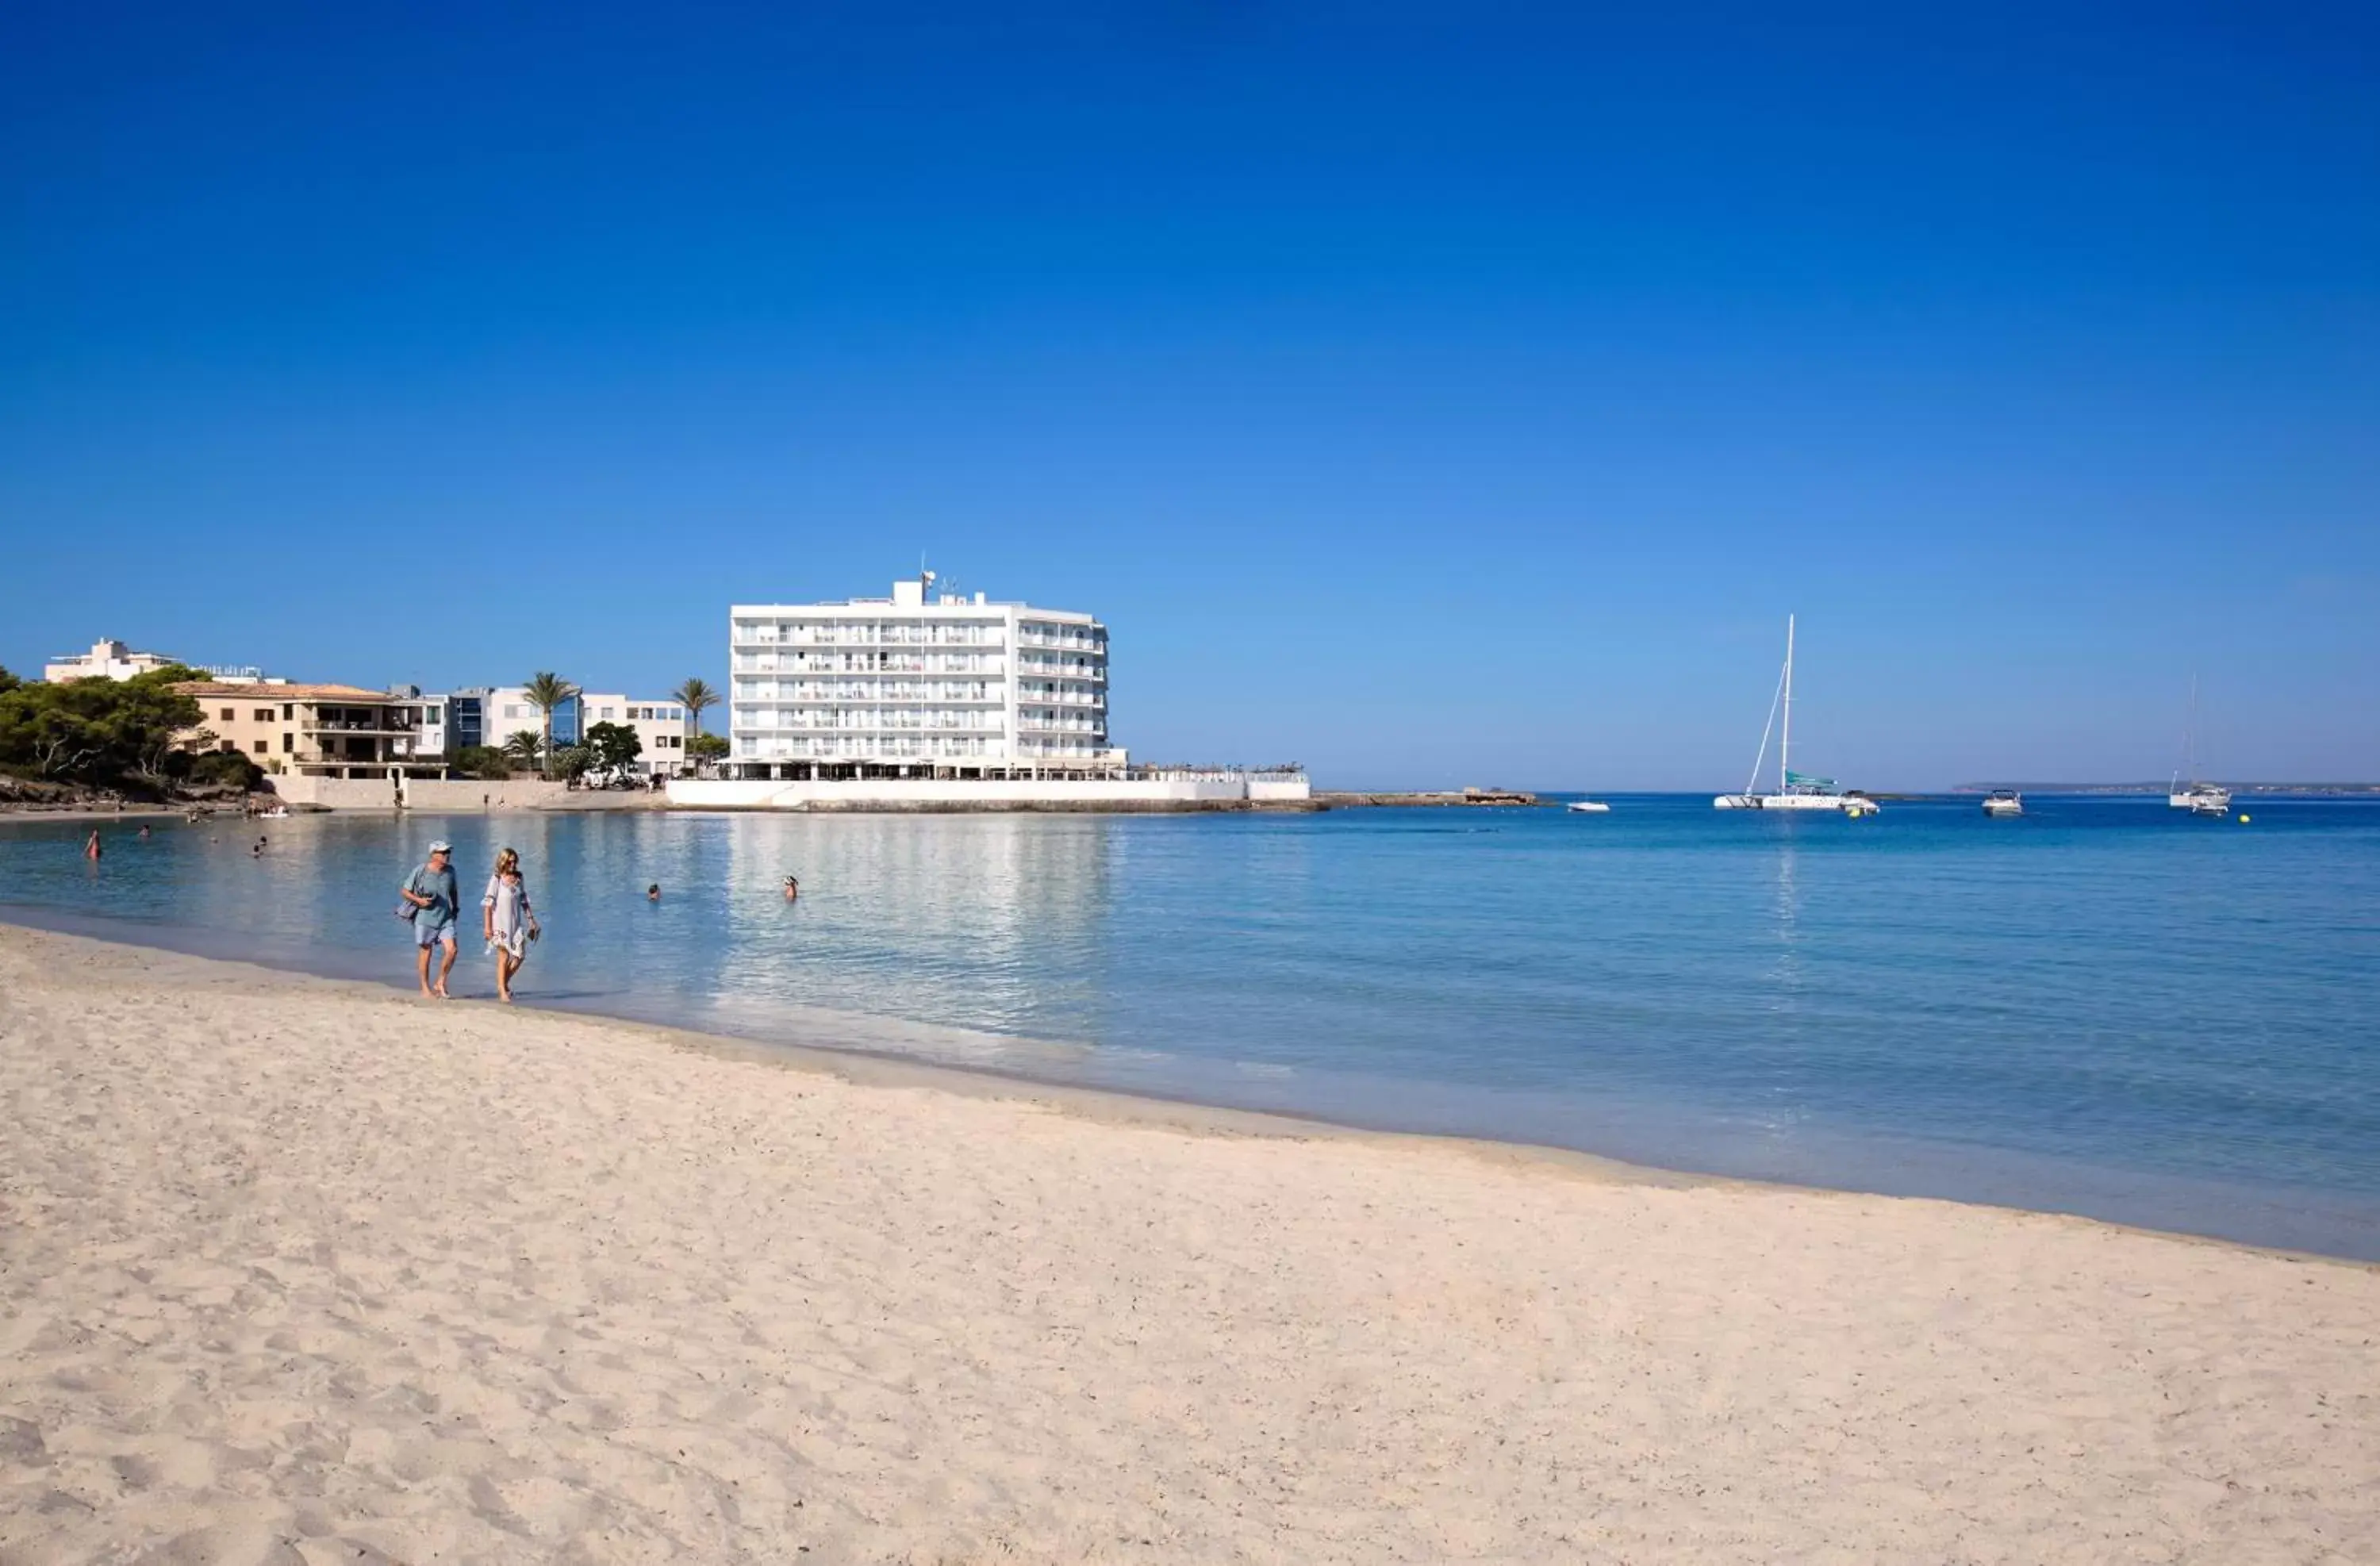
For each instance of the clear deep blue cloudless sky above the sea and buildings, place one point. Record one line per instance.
(1429, 394)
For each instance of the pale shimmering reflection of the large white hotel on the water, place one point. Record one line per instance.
(953, 920)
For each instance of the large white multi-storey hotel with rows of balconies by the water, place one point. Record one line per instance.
(915, 687)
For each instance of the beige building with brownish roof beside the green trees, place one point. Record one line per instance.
(325, 732)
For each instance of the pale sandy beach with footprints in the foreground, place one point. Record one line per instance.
(313, 1272)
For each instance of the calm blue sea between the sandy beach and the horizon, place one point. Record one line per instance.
(2103, 1008)
